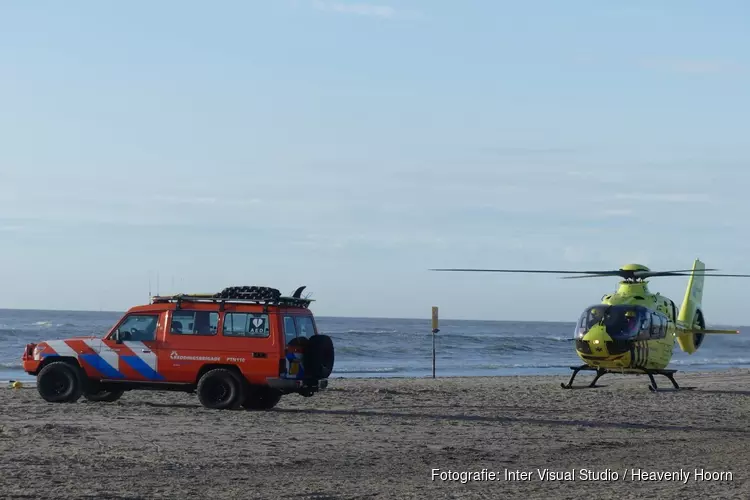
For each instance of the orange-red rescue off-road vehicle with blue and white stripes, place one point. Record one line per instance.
(243, 347)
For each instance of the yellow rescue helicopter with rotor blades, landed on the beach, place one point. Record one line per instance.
(633, 330)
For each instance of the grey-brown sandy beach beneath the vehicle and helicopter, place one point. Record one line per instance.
(381, 439)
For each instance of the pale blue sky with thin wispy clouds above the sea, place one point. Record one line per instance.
(351, 146)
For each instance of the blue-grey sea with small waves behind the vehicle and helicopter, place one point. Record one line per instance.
(381, 347)
